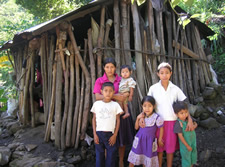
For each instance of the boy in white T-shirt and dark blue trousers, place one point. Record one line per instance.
(106, 122)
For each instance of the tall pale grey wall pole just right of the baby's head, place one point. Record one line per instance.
(138, 46)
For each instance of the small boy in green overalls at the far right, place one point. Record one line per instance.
(187, 139)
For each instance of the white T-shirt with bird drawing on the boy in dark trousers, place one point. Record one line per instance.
(106, 115)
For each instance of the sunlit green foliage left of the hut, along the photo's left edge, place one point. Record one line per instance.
(13, 19)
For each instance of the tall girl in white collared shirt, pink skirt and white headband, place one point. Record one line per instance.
(165, 94)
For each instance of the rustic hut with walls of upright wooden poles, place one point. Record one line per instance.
(57, 62)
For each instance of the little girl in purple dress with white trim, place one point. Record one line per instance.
(144, 150)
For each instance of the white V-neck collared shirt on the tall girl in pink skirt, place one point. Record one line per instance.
(165, 99)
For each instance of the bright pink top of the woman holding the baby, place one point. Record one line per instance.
(103, 79)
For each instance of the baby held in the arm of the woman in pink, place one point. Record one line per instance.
(127, 84)
